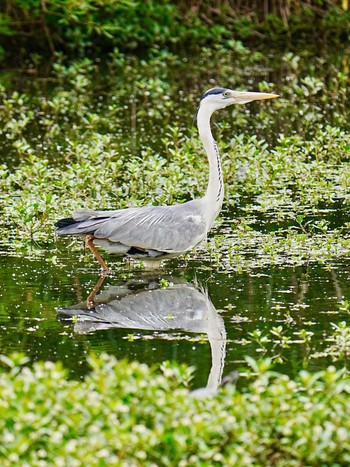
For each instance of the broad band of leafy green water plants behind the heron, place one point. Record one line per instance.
(73, 147)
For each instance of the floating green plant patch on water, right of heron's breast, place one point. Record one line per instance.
(247, 247)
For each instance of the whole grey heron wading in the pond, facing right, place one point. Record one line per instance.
(153, 233)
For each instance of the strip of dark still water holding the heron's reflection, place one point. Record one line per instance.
(188, 312)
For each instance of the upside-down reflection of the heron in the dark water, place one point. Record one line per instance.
(143, 304)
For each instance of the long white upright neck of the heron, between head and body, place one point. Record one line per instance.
(215, 190)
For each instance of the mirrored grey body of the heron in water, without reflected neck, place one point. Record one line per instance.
(181, 306)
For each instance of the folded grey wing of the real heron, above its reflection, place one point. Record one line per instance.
(163, 228)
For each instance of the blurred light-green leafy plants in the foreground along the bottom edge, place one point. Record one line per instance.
(129, 414)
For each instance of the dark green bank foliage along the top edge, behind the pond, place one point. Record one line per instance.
(75, 26)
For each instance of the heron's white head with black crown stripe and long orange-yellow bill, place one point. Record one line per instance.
(218, 98)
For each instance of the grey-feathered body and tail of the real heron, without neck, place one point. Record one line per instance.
(163, 229)
